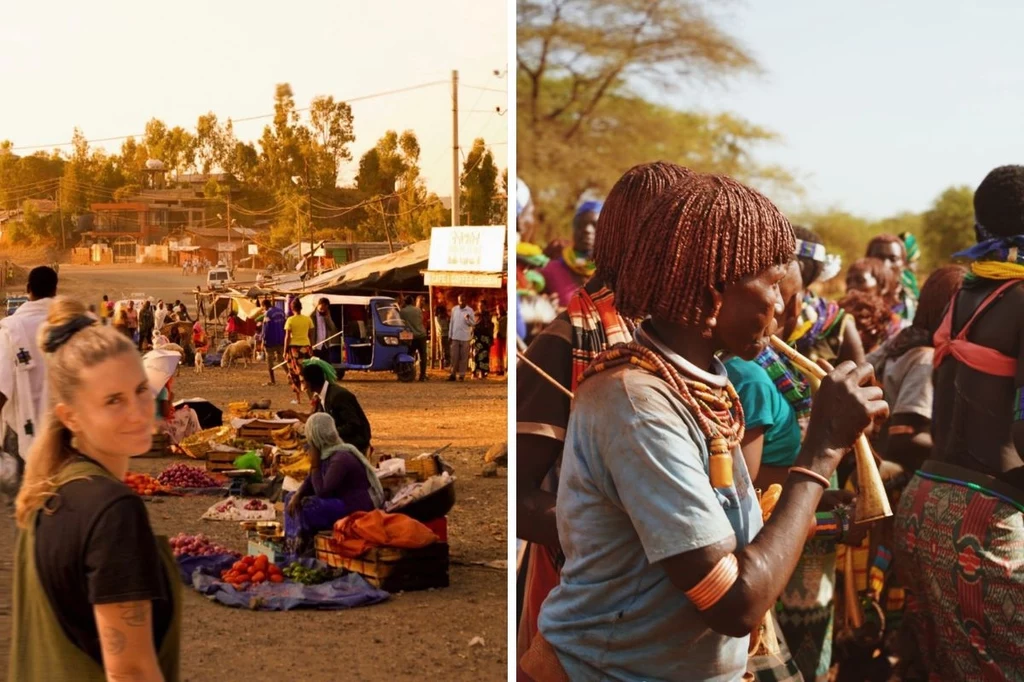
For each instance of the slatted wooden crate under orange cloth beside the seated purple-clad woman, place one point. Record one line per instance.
(392, 569)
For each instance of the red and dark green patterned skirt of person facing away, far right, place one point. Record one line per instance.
(960, 550)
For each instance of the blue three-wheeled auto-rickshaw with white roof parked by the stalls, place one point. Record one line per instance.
(374, 338)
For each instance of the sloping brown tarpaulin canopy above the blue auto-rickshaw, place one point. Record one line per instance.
(402, 271)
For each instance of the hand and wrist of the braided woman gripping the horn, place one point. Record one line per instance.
(845, 406)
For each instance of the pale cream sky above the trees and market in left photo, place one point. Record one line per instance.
(110, 67)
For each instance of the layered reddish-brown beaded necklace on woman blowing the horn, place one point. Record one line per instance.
(718, 412)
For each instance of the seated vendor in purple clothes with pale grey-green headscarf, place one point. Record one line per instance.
(340, 483)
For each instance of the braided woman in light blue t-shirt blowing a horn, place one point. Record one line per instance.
(666, 553)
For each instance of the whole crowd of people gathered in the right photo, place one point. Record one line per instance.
(687, 492)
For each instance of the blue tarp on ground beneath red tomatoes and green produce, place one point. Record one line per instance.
(203, 574)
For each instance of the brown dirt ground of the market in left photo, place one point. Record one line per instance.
(412, 636)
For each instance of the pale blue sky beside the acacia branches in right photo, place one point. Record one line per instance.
(882, 105)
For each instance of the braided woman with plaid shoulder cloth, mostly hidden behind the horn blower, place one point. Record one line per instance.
(564, 350)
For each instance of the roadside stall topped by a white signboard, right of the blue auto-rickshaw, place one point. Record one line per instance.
(467, 262)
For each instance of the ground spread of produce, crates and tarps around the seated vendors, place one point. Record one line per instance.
(254, 457)
